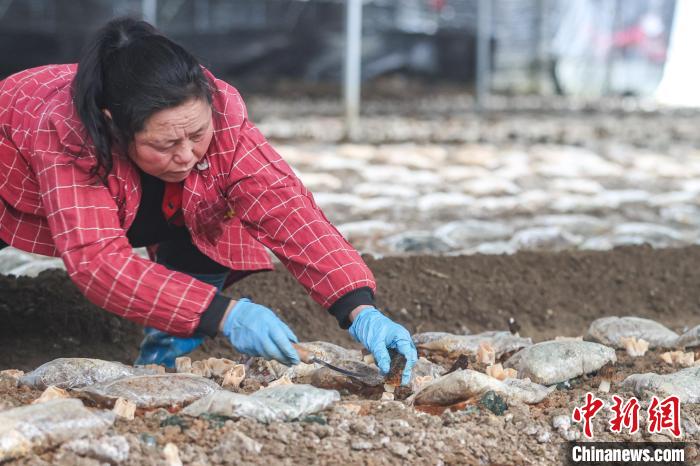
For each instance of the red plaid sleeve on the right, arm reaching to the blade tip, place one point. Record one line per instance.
(278, 211)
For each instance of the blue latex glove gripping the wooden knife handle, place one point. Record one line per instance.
(256, 330)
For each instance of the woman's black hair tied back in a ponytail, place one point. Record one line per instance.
(133, 71)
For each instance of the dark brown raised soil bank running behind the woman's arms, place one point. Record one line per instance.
(548, 294)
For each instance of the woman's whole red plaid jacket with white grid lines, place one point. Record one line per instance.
(242, 197)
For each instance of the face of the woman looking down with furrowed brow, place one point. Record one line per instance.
(173, 140)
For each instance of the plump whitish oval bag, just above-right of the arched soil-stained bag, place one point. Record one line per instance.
(551, 362)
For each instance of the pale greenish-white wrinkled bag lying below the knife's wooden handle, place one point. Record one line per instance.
(279, 403)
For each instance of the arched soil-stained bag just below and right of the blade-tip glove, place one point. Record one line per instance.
(466, 383)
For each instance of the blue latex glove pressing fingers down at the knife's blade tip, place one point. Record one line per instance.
(377, 332)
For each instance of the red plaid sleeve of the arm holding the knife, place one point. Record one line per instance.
(84, 223)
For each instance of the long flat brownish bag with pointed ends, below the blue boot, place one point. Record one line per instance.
(152, 391)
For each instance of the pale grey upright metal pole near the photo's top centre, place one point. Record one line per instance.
(353, 63)
